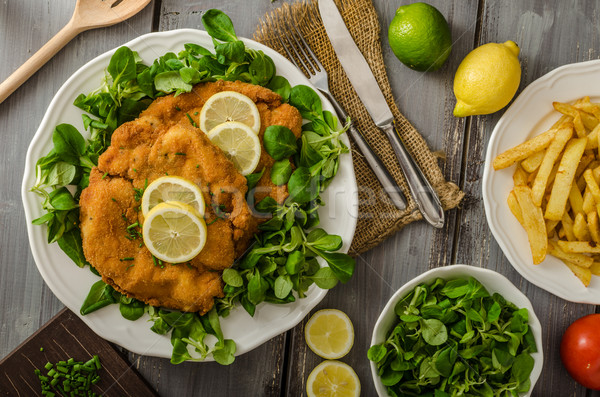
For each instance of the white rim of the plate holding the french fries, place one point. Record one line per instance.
(493, 206)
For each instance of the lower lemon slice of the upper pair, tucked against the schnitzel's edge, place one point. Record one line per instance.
(239, 144)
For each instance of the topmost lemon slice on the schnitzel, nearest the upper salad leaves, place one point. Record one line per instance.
(229, 106)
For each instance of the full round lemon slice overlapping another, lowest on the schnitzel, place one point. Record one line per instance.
(173, 232)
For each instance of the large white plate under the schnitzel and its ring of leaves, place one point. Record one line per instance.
(71, 284)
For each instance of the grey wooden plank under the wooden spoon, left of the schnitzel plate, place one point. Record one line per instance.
(25, 26)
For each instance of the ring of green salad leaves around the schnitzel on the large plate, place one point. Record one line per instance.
(283, 261)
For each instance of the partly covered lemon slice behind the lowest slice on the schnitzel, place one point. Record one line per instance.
(172, 188)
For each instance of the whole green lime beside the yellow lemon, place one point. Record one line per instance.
(420, 37)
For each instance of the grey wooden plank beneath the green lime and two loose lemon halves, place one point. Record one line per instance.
(424, 99)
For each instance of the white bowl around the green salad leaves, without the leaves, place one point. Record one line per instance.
(492, 281)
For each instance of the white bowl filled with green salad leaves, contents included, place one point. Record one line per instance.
(457, 329)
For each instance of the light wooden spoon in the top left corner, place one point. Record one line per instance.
(88, 14)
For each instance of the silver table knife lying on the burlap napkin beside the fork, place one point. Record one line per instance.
(360, 75)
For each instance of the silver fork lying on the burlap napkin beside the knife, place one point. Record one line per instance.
(306, 60)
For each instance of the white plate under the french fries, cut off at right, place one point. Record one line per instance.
(529, 115)
